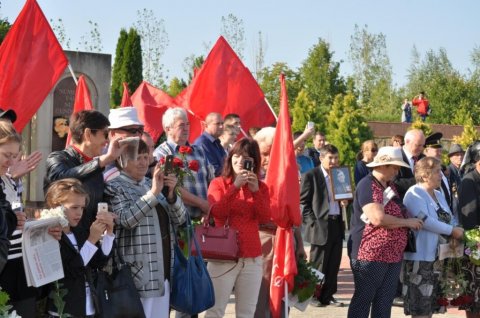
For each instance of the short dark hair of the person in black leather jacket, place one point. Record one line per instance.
(84, 119)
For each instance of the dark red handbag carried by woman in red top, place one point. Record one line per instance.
(216, 243)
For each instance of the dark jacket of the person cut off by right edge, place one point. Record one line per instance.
(469, 200)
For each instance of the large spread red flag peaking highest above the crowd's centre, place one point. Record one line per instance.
(224, 85)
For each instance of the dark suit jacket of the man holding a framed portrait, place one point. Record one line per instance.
(315, 207)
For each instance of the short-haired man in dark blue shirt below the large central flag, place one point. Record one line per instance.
(210, 143)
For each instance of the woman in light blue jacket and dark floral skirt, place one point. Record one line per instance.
(423, 201)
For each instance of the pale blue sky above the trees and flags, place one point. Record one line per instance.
(290, 28)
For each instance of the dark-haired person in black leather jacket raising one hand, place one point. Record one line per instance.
(84, 159)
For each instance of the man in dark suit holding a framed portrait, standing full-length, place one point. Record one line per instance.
(322, 220)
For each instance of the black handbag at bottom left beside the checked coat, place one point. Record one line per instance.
(116, 293)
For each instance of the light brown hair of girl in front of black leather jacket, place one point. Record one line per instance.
(59, 191)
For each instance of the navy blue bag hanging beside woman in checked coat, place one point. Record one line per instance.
(192, 288)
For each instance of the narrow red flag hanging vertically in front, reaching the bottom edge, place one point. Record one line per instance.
(282, 174)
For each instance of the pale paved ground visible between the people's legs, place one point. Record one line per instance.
(345, 293)
